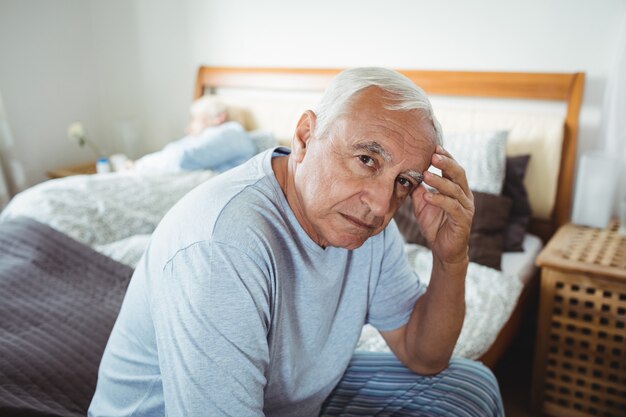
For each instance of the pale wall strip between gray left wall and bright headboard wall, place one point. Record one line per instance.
(145, 72)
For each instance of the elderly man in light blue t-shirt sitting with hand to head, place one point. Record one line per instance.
(251, 297)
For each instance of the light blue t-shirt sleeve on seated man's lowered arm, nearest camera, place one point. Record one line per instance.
(211, 318)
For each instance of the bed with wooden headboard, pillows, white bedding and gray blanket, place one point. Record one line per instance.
(68, 246)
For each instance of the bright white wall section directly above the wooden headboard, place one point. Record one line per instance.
(533, 35)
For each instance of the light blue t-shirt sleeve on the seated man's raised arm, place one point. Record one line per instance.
(397, 288)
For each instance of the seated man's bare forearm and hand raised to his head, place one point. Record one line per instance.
(426, 342)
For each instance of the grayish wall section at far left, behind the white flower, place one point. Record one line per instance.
(46, 81)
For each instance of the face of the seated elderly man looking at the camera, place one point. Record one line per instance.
(350, 182)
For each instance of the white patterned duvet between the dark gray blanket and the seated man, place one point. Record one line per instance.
(113, 213)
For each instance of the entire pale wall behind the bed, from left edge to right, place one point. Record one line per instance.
(135, 60)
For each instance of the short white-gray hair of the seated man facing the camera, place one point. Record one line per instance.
(402, 94)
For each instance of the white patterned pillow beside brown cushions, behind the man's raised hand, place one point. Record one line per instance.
(482, 155)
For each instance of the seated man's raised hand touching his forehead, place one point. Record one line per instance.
(445, 216)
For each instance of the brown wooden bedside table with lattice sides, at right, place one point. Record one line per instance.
(580, 353)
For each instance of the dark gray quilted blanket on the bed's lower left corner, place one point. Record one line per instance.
(58, 302)
